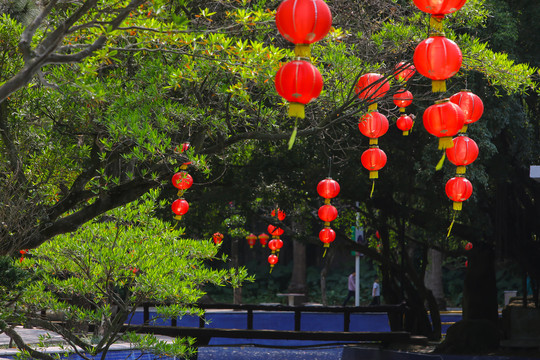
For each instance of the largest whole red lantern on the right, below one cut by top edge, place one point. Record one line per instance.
(438, 59)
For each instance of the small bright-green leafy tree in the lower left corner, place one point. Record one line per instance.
(99, 275)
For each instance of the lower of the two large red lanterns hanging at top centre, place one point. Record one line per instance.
(298, 82)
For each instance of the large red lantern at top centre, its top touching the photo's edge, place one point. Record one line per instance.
(303, 22)
